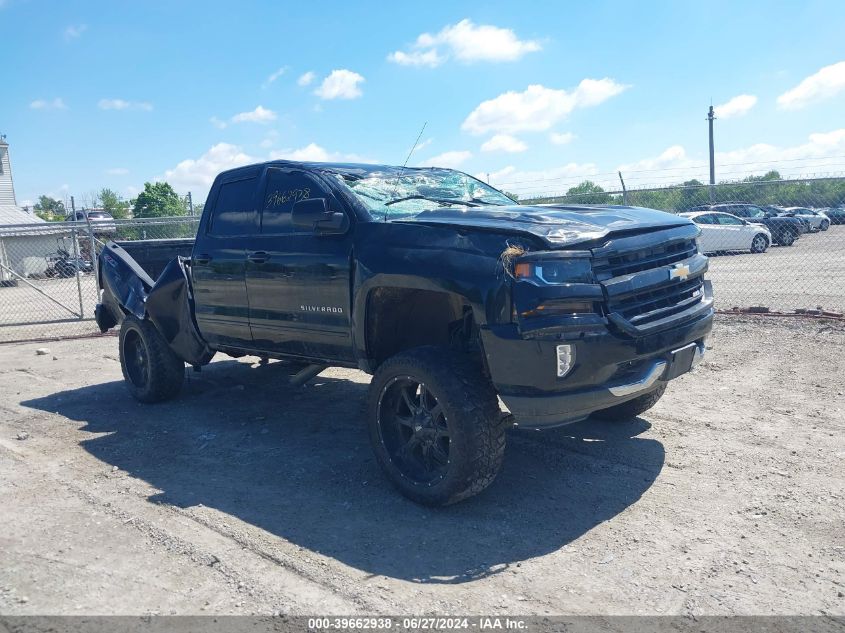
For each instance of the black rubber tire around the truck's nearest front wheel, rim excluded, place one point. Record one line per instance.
(477, 429)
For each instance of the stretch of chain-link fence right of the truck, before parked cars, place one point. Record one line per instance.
(807, 273)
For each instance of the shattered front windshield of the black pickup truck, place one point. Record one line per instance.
(406, 194)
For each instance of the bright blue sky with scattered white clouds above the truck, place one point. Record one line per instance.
(539, 95)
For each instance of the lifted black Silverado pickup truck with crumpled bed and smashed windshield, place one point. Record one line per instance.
(442, 287)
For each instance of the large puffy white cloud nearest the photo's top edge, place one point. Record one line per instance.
(467, 42)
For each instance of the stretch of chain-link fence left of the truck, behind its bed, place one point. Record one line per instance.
(48, 285)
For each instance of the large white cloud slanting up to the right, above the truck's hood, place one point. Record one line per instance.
(537, 108)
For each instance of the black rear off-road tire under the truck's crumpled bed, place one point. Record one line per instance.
(163, 373)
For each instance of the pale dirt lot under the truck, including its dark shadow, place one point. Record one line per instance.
(248, 496)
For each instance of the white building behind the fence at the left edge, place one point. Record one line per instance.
(23, 249)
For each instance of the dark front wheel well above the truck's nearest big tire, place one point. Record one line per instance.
(404, 318)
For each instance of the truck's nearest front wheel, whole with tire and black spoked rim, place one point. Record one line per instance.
(435, 425)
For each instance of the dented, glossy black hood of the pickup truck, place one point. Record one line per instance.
(558, 225)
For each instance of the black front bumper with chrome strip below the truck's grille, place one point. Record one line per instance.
(609, 369)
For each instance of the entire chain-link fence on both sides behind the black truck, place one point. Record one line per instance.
(48, 287)
